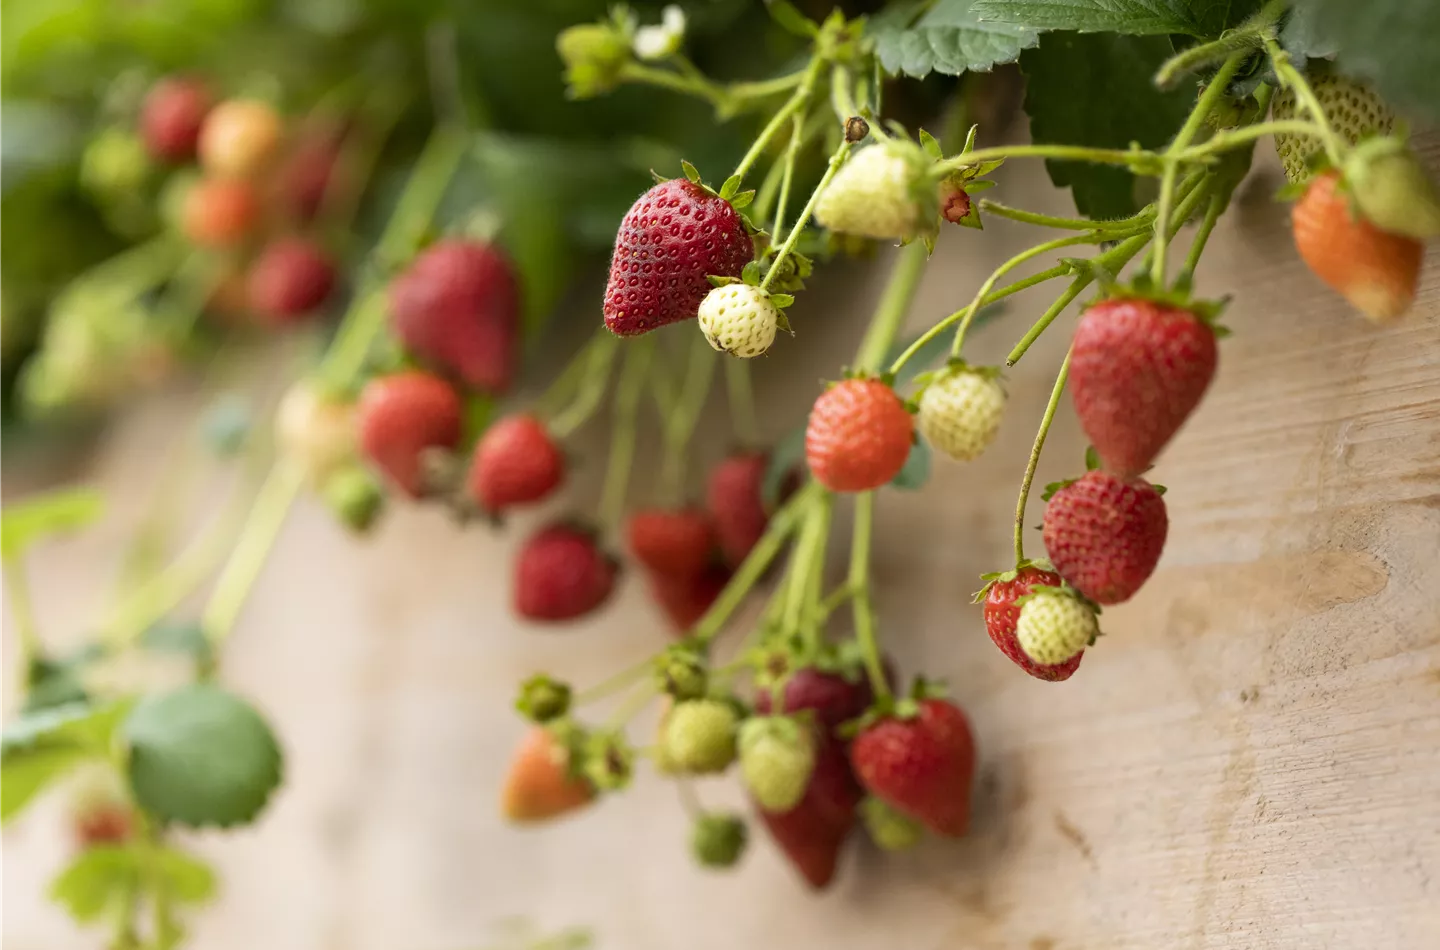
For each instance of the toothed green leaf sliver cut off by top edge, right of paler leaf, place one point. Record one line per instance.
(1137, 18)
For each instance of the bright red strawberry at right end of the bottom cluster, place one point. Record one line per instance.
(921, 766)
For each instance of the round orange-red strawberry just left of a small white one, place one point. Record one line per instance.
(859, 435)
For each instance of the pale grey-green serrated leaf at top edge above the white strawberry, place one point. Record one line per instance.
(951, 40)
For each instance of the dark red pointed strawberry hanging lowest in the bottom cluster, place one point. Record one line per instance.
(813, 833)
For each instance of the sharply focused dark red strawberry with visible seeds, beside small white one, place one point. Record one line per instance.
(673, 238)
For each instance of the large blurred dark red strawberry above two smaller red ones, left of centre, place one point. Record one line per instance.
(459, 307)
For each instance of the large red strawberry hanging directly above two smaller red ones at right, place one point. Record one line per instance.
(1138, 369)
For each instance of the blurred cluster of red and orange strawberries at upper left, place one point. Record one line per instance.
(258, 194)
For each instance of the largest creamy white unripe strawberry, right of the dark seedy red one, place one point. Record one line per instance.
(883, 192)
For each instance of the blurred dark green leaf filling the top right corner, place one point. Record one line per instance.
(1387, 42)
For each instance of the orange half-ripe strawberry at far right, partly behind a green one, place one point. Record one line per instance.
(1374, 270)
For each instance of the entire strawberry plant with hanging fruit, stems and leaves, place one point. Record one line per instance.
(243, 212)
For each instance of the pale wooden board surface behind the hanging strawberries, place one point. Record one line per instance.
(1251, 758)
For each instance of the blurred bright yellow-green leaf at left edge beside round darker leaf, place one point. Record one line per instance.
(45, 745)
